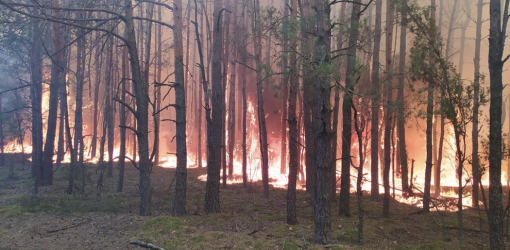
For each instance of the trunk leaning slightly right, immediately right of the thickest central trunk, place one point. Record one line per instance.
(345, 184)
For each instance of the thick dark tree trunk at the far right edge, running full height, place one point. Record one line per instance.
(496, 45)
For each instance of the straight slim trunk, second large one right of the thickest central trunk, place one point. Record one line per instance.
(376, 102)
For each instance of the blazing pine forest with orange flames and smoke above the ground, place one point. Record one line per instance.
(276, 95)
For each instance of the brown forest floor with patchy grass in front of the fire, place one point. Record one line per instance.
(55, 220)
